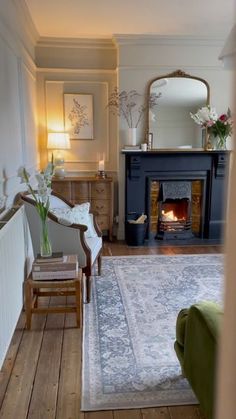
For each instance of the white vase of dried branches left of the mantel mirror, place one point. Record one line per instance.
(127, 105)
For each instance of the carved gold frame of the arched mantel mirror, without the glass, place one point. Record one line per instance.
(174, 74)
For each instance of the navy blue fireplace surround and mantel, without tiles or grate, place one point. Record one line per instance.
(210, 167)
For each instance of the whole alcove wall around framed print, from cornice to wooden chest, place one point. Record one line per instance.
(86, 67)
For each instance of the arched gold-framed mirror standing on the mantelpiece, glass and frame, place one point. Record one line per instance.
(169, 123)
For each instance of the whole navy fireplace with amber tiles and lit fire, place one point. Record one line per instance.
(198, 212)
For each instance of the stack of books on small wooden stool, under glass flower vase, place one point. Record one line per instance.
(55, 267)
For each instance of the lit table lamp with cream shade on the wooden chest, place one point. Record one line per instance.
(59, 141)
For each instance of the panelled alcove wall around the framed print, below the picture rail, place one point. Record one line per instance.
(84, 154)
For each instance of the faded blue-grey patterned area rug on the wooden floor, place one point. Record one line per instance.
(129, 328)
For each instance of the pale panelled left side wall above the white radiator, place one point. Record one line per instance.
(18, 134)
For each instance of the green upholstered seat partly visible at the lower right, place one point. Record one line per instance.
(197, 330)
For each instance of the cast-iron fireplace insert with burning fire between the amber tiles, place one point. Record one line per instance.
(174, 211)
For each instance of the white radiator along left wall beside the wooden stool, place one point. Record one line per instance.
(14, 248)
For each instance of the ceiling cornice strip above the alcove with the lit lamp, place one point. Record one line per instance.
(93, 43)
